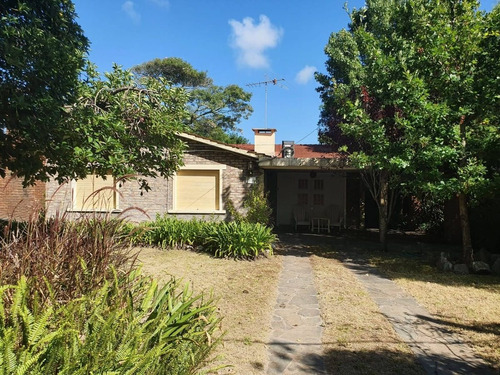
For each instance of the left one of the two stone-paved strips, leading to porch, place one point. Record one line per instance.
(295, 344)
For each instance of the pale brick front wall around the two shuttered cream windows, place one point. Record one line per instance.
(159, 200)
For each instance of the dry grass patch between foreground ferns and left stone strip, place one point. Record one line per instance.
(246, 293)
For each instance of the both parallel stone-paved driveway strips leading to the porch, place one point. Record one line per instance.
(295, 344)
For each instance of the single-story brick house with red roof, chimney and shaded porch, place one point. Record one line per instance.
(303, 182)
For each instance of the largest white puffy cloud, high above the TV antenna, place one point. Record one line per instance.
(252, 40)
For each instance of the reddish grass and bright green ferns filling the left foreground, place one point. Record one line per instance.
(72, 302)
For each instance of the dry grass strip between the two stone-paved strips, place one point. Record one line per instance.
(357, 338)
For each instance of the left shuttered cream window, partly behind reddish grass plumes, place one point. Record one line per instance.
(94, 194)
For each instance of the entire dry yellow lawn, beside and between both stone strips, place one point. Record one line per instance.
(358, 339)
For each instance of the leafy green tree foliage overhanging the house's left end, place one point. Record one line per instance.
(59, 119)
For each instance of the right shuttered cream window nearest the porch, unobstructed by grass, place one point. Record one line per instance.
(198, 190)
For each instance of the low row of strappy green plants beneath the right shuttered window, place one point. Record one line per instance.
(234, 239)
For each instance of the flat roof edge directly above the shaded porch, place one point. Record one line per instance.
(304, 163)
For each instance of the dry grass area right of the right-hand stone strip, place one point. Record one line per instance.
(466, 304)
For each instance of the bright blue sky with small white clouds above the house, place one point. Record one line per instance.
(236, 41)
